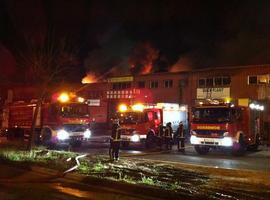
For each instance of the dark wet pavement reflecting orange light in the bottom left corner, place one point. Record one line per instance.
(23, 184)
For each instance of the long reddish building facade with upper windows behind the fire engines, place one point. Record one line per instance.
(188, 88)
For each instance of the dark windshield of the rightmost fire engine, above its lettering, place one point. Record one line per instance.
(211, 115)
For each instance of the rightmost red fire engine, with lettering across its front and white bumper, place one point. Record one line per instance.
(226, 125)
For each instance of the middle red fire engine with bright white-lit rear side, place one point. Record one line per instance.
(139, 122)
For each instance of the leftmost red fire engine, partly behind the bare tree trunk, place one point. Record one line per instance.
(64, 121)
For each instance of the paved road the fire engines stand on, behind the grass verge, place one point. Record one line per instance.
(252, 160)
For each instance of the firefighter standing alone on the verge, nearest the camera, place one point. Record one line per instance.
(115, 141)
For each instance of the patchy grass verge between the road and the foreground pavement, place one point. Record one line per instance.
(195, 183)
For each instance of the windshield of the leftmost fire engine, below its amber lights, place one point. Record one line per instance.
(74, 110)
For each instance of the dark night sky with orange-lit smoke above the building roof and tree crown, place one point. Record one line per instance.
(121, 34)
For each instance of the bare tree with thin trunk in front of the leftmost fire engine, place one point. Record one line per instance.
(44, 65)
